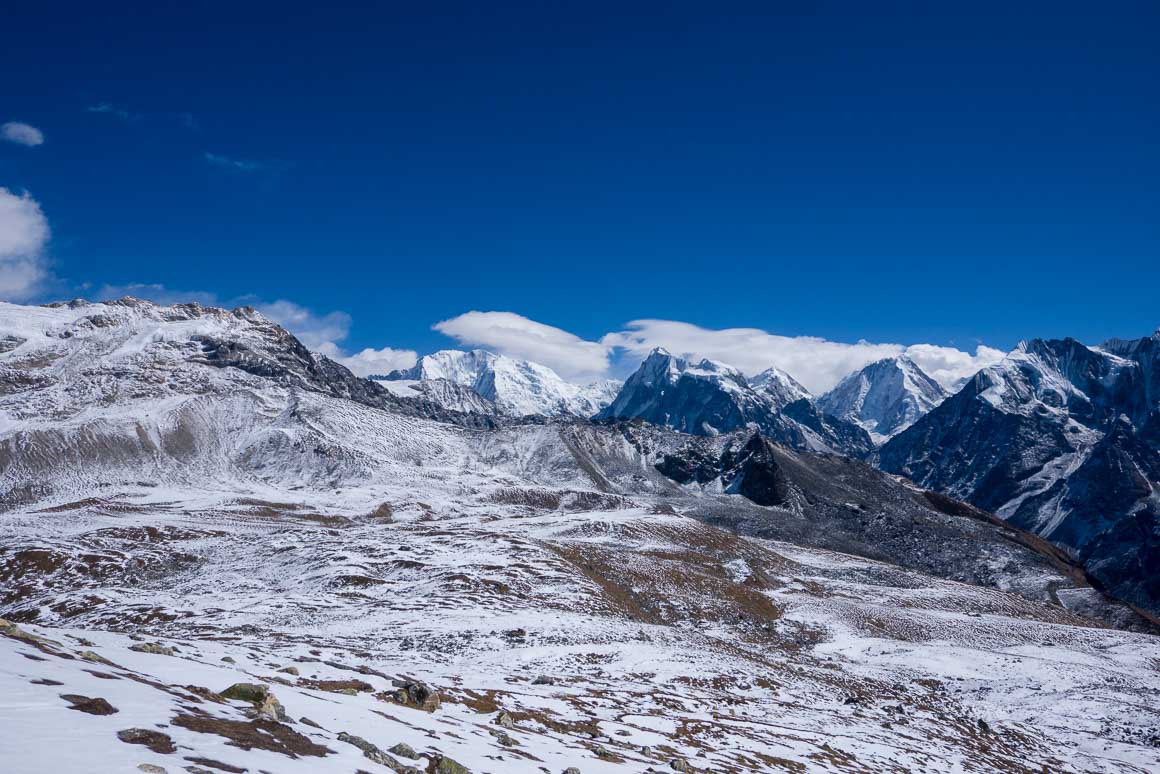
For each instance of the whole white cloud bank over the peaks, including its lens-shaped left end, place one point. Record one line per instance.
(817, 364)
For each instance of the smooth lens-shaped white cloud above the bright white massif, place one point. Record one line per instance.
(519, 337)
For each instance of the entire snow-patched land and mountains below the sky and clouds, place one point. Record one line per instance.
(223, 553)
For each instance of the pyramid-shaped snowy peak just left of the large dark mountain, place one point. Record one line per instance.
(886, 397)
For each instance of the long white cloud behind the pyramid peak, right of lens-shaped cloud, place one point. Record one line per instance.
(817, 364)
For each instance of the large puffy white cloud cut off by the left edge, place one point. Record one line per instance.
(24, 235)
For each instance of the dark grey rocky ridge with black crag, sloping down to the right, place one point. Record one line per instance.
(846, 505)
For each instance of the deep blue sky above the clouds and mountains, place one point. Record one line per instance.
(879, 171)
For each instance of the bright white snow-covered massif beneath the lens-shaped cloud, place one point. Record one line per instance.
(518, 388)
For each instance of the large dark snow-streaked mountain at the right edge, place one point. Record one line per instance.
(1057, 440)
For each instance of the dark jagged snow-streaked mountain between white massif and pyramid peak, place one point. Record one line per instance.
(709, 399)
